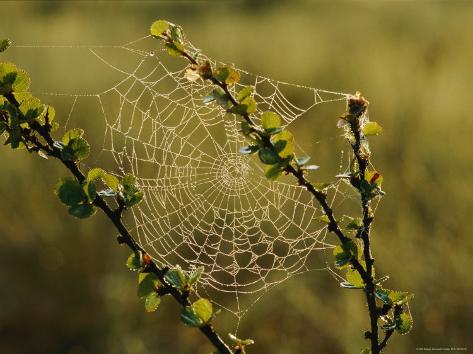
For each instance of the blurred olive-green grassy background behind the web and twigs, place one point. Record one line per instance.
(63, 285)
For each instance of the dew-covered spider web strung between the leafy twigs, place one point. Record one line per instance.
(204, 203)
